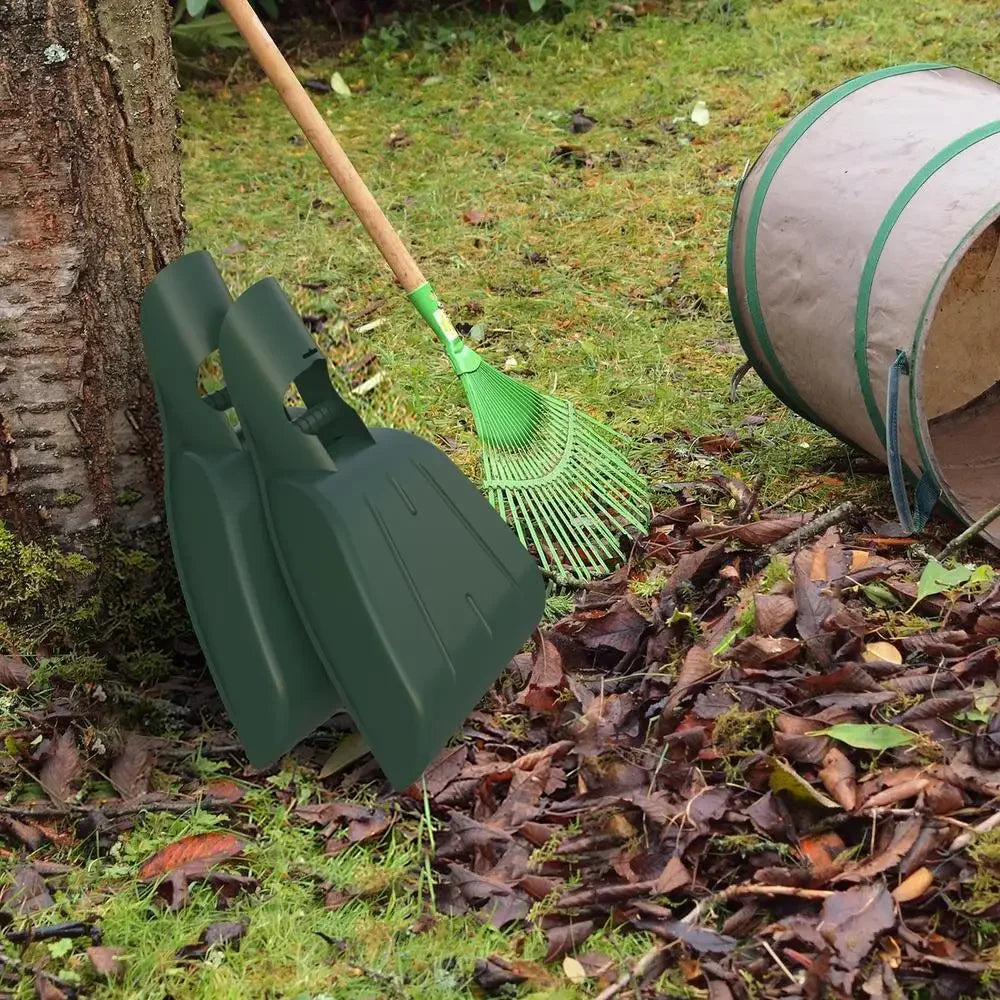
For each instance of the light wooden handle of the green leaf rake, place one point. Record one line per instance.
(316, 130)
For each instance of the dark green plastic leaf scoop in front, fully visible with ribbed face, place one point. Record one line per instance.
(413, 590)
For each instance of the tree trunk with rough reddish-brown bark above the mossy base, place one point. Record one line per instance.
(90, 210)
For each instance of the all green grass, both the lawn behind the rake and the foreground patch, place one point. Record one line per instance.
(598, 273)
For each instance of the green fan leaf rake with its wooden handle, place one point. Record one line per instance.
(555, 473)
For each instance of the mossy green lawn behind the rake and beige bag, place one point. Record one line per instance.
(604, 283)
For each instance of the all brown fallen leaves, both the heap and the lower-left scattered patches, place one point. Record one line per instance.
(781, 765)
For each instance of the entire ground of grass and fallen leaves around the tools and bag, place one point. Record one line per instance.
(642, 734)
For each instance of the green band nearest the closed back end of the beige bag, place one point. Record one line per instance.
(797, 128)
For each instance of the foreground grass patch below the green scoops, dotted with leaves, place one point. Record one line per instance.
(294, 947)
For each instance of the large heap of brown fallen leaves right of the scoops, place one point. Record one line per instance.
(759, 765)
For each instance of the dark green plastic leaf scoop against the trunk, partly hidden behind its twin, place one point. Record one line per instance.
(271, 681)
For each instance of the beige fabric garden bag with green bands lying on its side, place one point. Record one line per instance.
(863, 258)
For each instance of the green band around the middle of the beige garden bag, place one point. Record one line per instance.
(892, 216)
